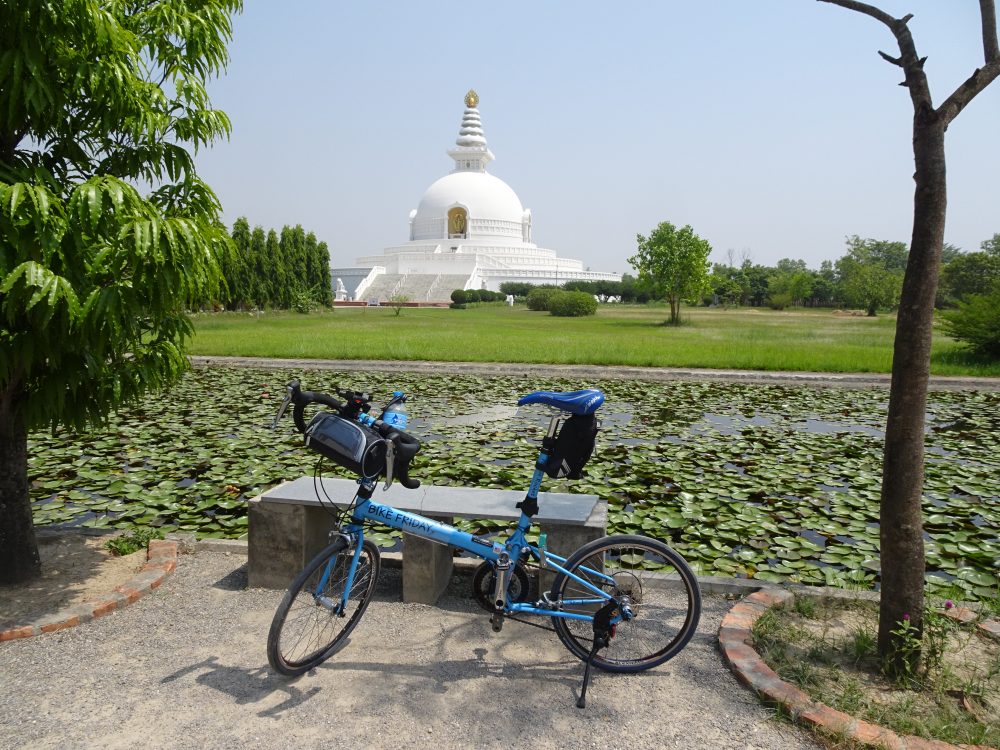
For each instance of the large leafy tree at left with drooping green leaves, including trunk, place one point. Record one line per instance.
(95, 275)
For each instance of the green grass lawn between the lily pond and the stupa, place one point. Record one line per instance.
(751, 339)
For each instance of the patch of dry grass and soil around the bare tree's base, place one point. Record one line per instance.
(827, 647)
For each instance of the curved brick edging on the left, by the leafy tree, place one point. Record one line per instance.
(161, 561)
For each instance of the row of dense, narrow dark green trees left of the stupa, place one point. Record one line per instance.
(271, 270)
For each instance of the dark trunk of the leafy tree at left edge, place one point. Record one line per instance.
(19, 559)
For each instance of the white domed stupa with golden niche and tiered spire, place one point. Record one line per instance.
(469, 231)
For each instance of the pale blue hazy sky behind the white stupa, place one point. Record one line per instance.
(772, 127)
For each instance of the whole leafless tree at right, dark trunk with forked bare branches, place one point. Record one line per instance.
(901, 517)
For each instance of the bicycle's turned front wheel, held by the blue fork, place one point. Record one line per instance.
(313, 622)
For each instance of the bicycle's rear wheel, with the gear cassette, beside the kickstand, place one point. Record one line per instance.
(660, 586)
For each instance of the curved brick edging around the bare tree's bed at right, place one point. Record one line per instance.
(736, 644)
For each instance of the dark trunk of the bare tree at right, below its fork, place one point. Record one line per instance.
(901, 517)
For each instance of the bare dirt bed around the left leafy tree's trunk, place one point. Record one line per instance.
(75, 569)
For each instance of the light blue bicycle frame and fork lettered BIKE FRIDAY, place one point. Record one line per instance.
(367, 510)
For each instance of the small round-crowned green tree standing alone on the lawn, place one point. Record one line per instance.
(674, 263)
